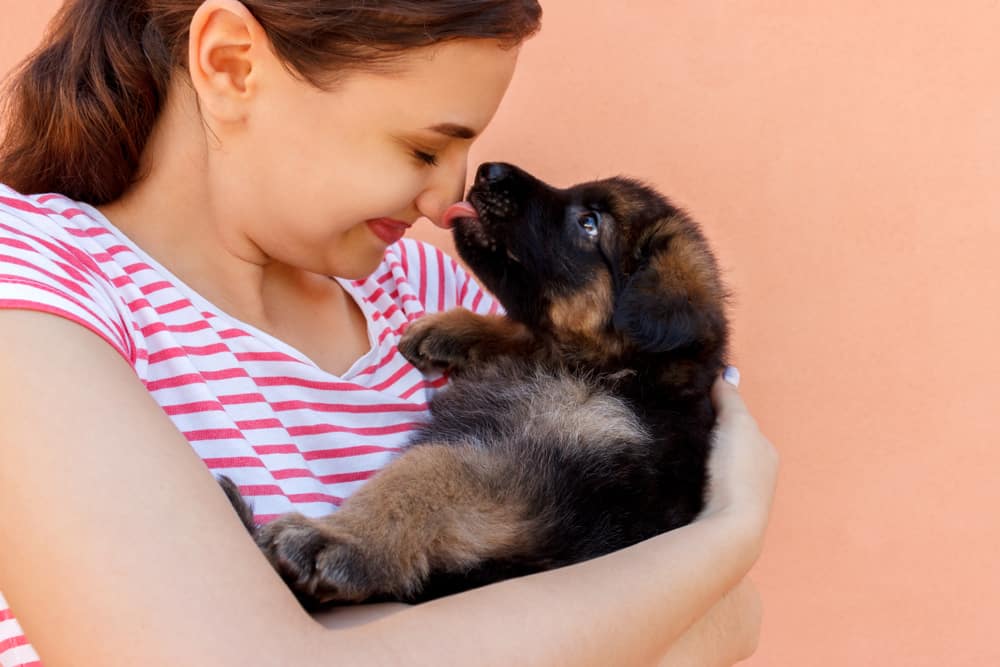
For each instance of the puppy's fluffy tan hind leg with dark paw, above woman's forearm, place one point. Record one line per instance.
(438, 508)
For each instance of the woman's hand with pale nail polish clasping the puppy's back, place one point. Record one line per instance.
(743, 465)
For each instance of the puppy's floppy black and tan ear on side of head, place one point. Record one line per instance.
(673, 301)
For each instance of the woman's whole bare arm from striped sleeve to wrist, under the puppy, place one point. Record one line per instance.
(120, 549)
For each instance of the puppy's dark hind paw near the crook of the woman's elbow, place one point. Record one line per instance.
(319, 562)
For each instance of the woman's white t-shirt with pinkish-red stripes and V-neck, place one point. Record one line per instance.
(291, 435)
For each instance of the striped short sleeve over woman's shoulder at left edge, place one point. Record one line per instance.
(44, 268)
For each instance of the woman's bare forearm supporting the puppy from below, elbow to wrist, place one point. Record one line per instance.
(625, 608)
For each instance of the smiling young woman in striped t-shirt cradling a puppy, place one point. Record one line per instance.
(214, 282)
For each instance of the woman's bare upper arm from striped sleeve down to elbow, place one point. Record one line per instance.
(117, 550)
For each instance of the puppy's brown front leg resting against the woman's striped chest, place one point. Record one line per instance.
(458, 338)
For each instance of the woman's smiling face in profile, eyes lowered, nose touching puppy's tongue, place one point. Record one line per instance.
(326, 180)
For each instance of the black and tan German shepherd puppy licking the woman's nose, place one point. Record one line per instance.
(576, 424)
